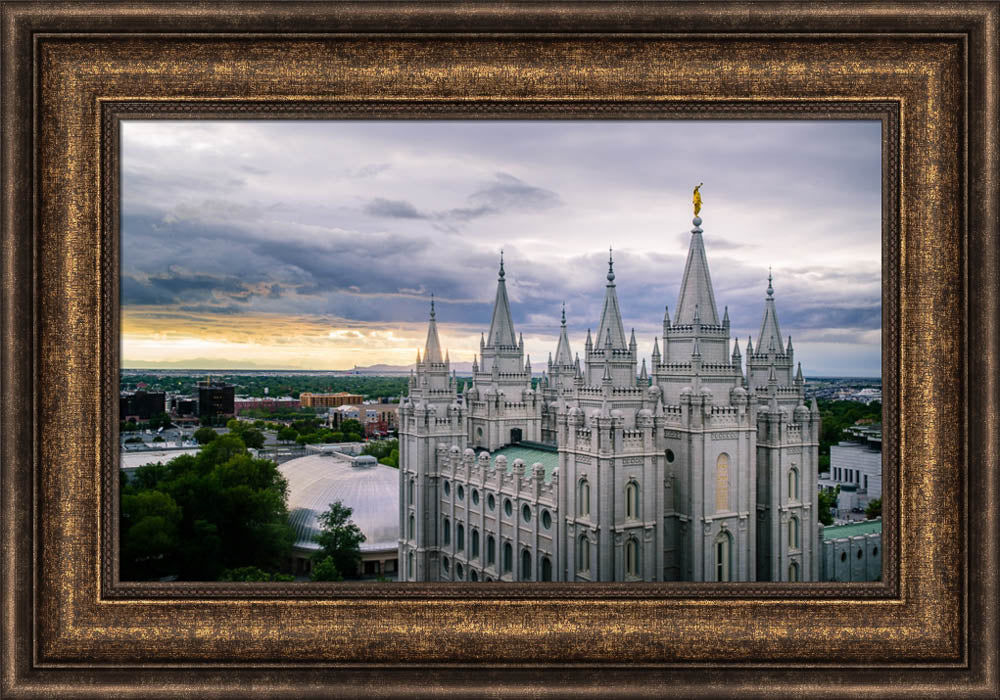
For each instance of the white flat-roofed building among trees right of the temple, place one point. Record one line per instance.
(856, 467)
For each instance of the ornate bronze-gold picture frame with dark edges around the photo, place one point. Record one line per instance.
(70, 72)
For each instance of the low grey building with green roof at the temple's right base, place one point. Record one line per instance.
(852, 552)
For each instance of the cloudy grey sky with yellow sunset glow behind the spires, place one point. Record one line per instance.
(317, 245)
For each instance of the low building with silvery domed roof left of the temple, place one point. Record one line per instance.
(369, 489)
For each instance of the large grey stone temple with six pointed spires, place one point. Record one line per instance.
(701, 467)
